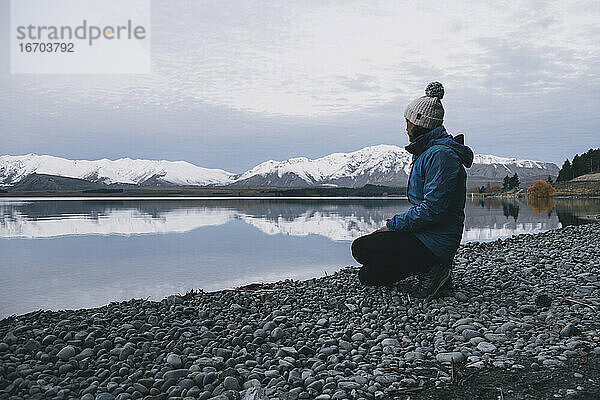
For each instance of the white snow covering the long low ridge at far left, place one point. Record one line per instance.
(124, 170)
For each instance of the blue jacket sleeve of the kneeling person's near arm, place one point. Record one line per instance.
(441, 174)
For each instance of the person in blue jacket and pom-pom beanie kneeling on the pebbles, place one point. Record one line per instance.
(423, 240)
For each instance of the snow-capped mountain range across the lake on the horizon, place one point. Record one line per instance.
(386, 165)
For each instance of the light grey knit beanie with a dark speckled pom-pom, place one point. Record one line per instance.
(427, 111)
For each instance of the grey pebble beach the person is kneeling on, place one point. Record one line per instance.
(523, 304)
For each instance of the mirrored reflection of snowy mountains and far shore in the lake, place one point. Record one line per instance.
(340, 220)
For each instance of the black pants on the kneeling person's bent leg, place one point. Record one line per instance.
(388, 257)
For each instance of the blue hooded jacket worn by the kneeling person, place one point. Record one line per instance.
(437, 190)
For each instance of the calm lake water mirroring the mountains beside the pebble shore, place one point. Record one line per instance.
(57, 254)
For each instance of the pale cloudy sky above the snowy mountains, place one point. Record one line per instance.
(235, 83)
